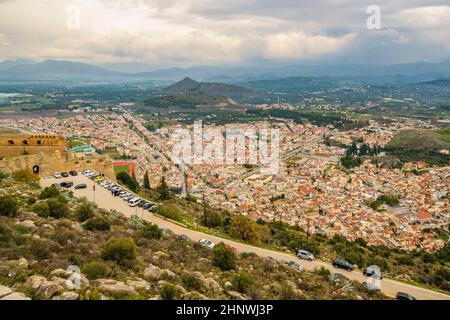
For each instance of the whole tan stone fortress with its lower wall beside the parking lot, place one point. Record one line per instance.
(47, 153)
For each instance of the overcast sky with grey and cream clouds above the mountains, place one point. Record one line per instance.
(237, 32)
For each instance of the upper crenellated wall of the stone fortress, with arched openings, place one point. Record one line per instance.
(17, 145)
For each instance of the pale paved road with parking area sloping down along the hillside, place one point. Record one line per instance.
(104, 199)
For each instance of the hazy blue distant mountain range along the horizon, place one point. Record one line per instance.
(370, 74)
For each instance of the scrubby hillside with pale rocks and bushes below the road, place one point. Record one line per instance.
(45, 236)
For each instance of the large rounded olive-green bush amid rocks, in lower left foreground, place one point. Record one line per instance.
(120, 250)
